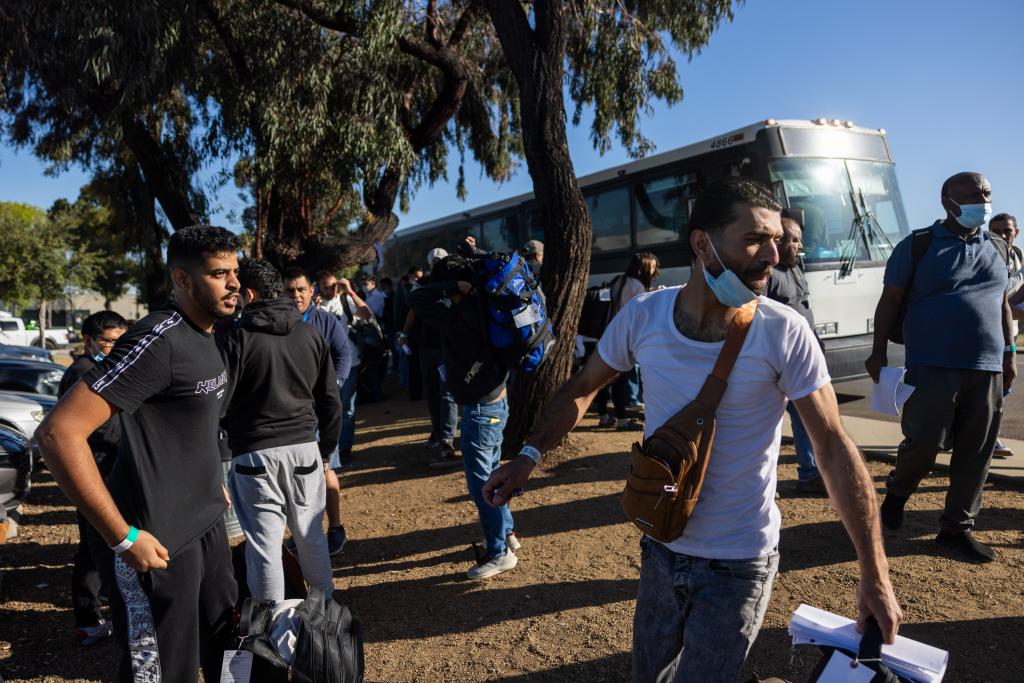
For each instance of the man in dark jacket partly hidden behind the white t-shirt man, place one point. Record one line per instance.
(789, 286)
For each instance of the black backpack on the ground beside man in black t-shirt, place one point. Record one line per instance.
(328, 647)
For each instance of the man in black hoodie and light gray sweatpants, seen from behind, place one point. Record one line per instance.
(283, 387)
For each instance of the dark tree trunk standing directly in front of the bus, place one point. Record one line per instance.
(536, 57)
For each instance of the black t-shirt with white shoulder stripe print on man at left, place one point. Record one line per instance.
(167, 378)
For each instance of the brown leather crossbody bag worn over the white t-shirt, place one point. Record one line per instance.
(668, 469)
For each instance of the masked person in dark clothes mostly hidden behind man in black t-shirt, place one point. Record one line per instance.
(91, 577)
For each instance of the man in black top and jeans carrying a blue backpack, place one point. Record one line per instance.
(478, 383)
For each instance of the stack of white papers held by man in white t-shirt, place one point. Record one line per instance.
(907, 658)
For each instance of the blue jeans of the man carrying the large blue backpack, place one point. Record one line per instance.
(483, 425)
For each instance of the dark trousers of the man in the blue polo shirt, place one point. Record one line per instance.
(961, 409)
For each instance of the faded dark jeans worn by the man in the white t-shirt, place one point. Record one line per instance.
(697, 619)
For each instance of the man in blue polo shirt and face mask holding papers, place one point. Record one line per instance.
(958, 333)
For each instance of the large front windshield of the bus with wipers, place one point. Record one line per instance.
(836, 193)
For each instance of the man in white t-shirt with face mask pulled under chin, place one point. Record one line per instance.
(703, 596)
